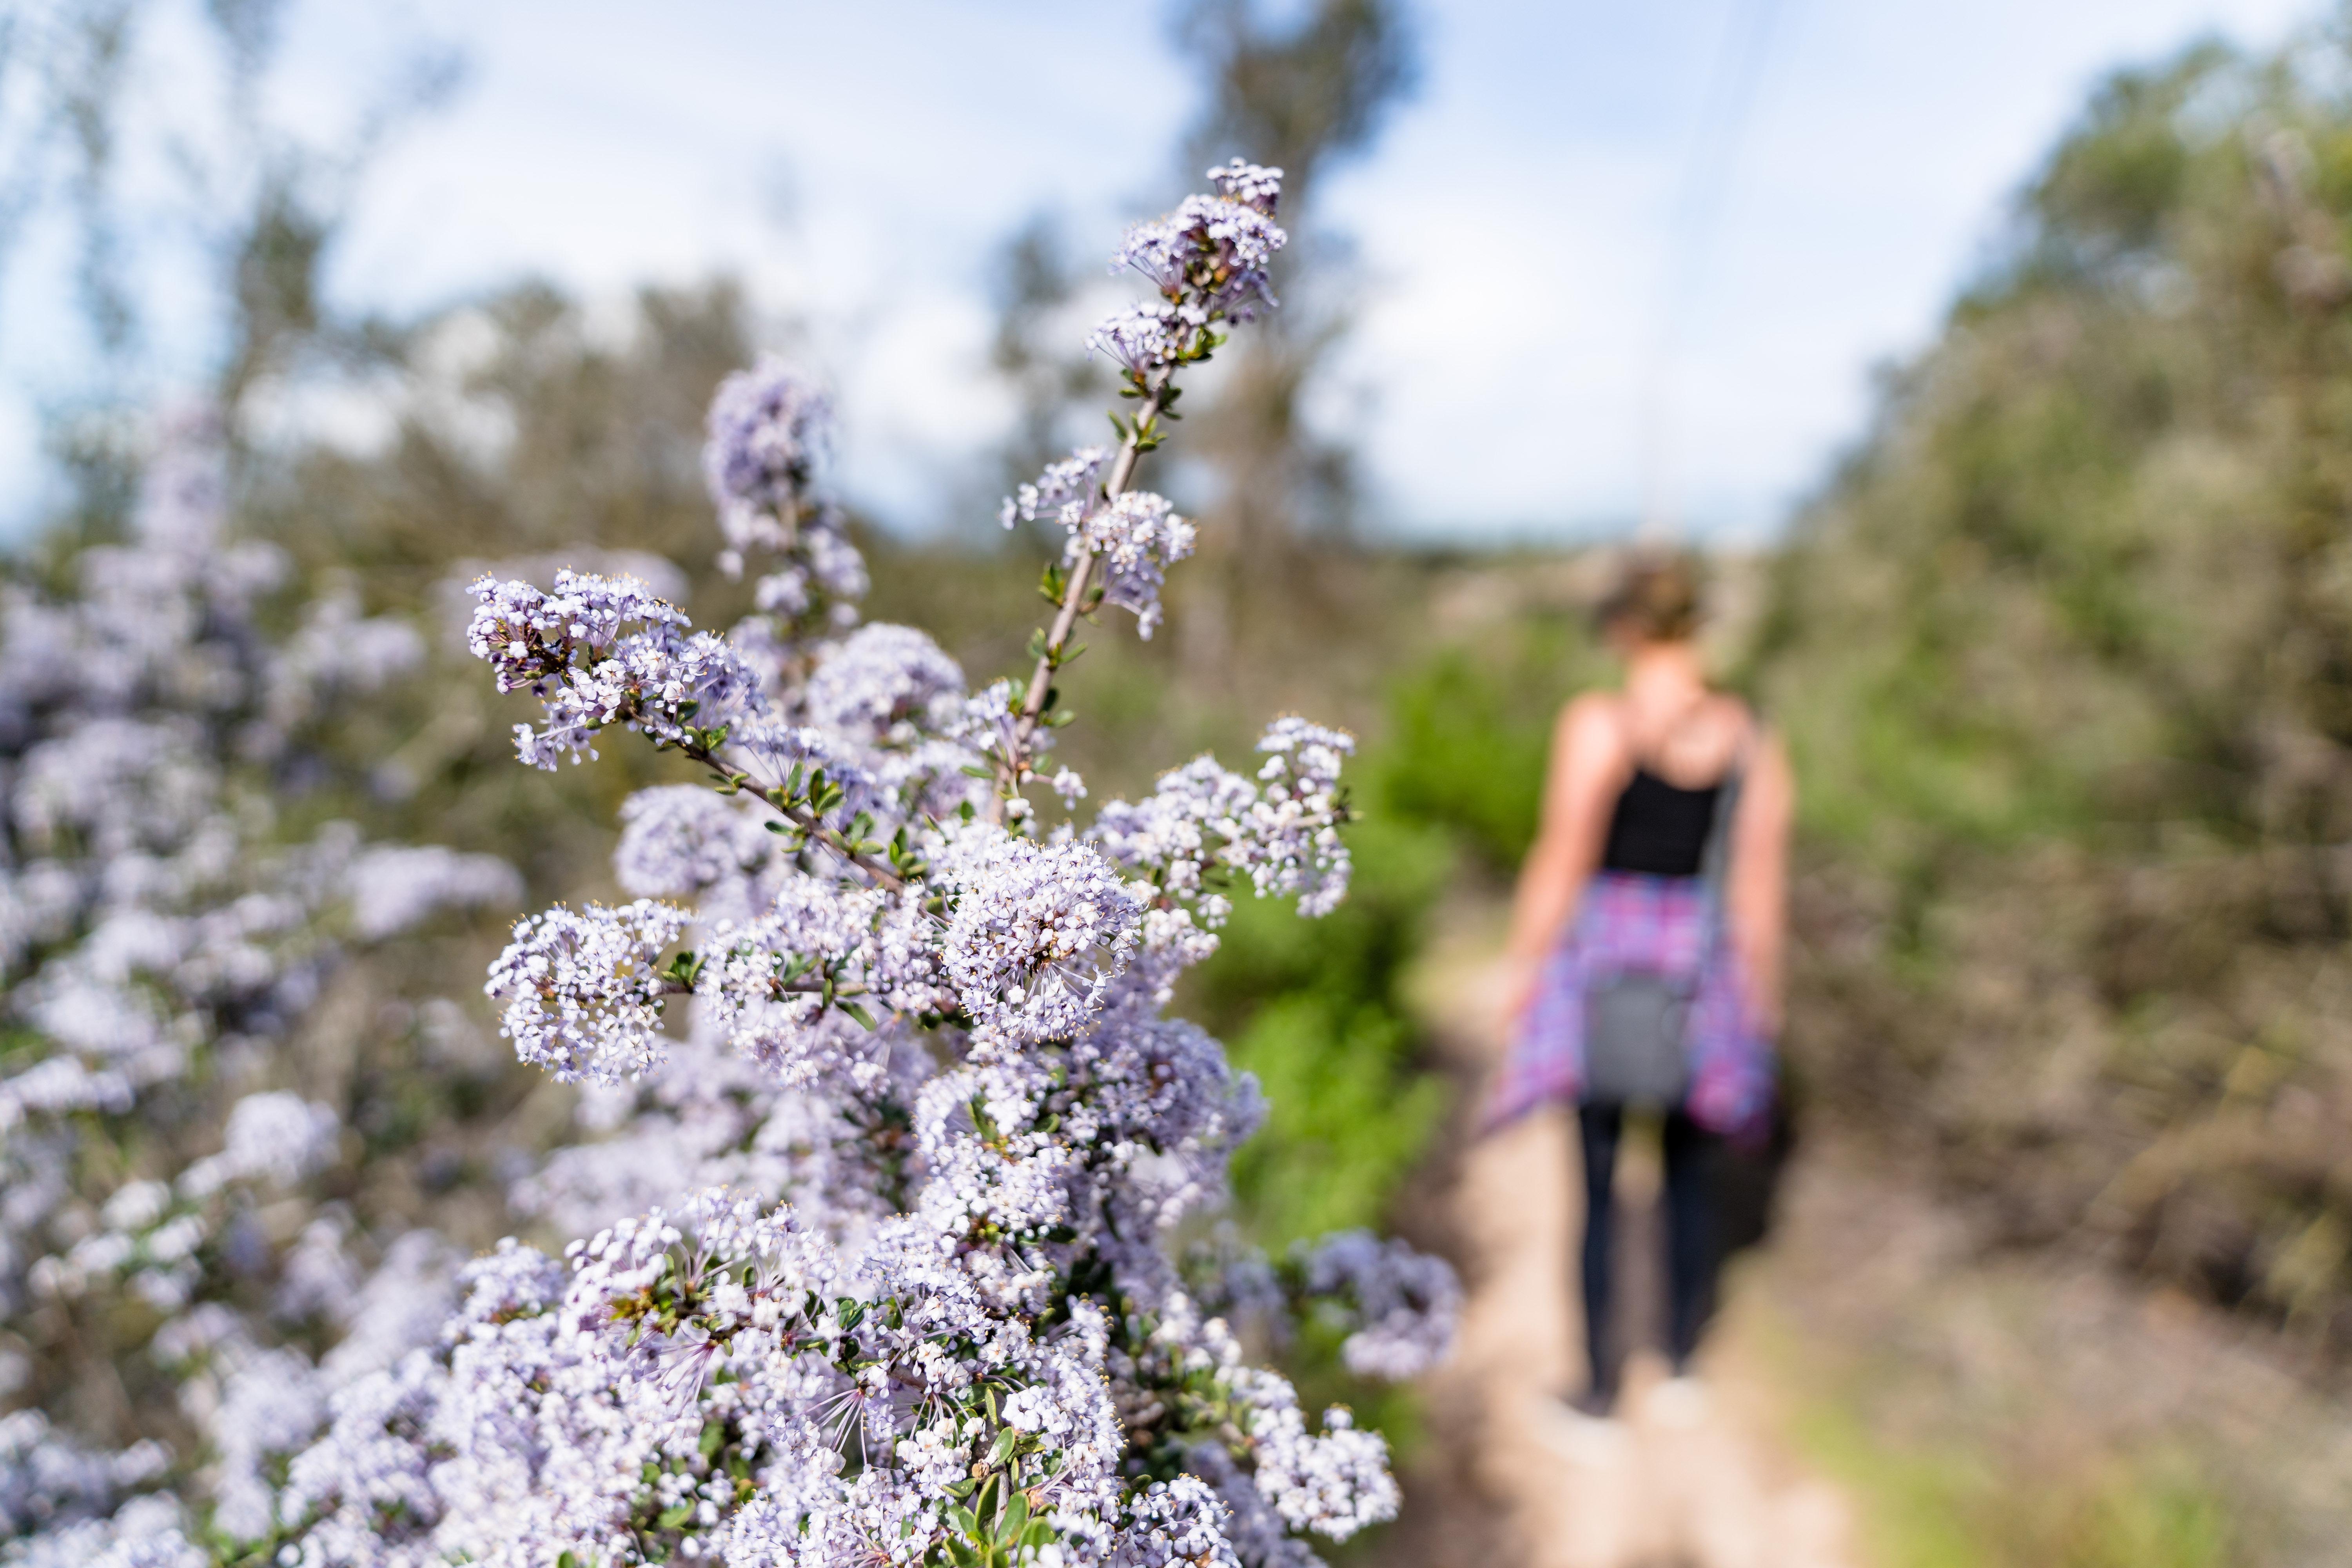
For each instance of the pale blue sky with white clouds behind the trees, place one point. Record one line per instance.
(1593, 293)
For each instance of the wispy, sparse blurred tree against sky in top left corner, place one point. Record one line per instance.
(253, 208)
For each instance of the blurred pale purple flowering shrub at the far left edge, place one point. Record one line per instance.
(159, 942)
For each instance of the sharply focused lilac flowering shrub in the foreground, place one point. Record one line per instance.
(902, 1132)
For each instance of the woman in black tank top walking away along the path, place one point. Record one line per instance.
(1645, 949)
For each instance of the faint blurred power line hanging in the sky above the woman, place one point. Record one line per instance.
(1723, 123)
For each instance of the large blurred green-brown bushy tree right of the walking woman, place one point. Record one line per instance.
(2066, 652)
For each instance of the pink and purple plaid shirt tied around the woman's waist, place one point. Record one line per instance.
(1643, 925)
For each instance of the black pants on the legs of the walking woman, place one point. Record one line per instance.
(1690, 1235)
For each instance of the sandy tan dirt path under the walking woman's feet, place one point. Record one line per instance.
(1688, 1477)
